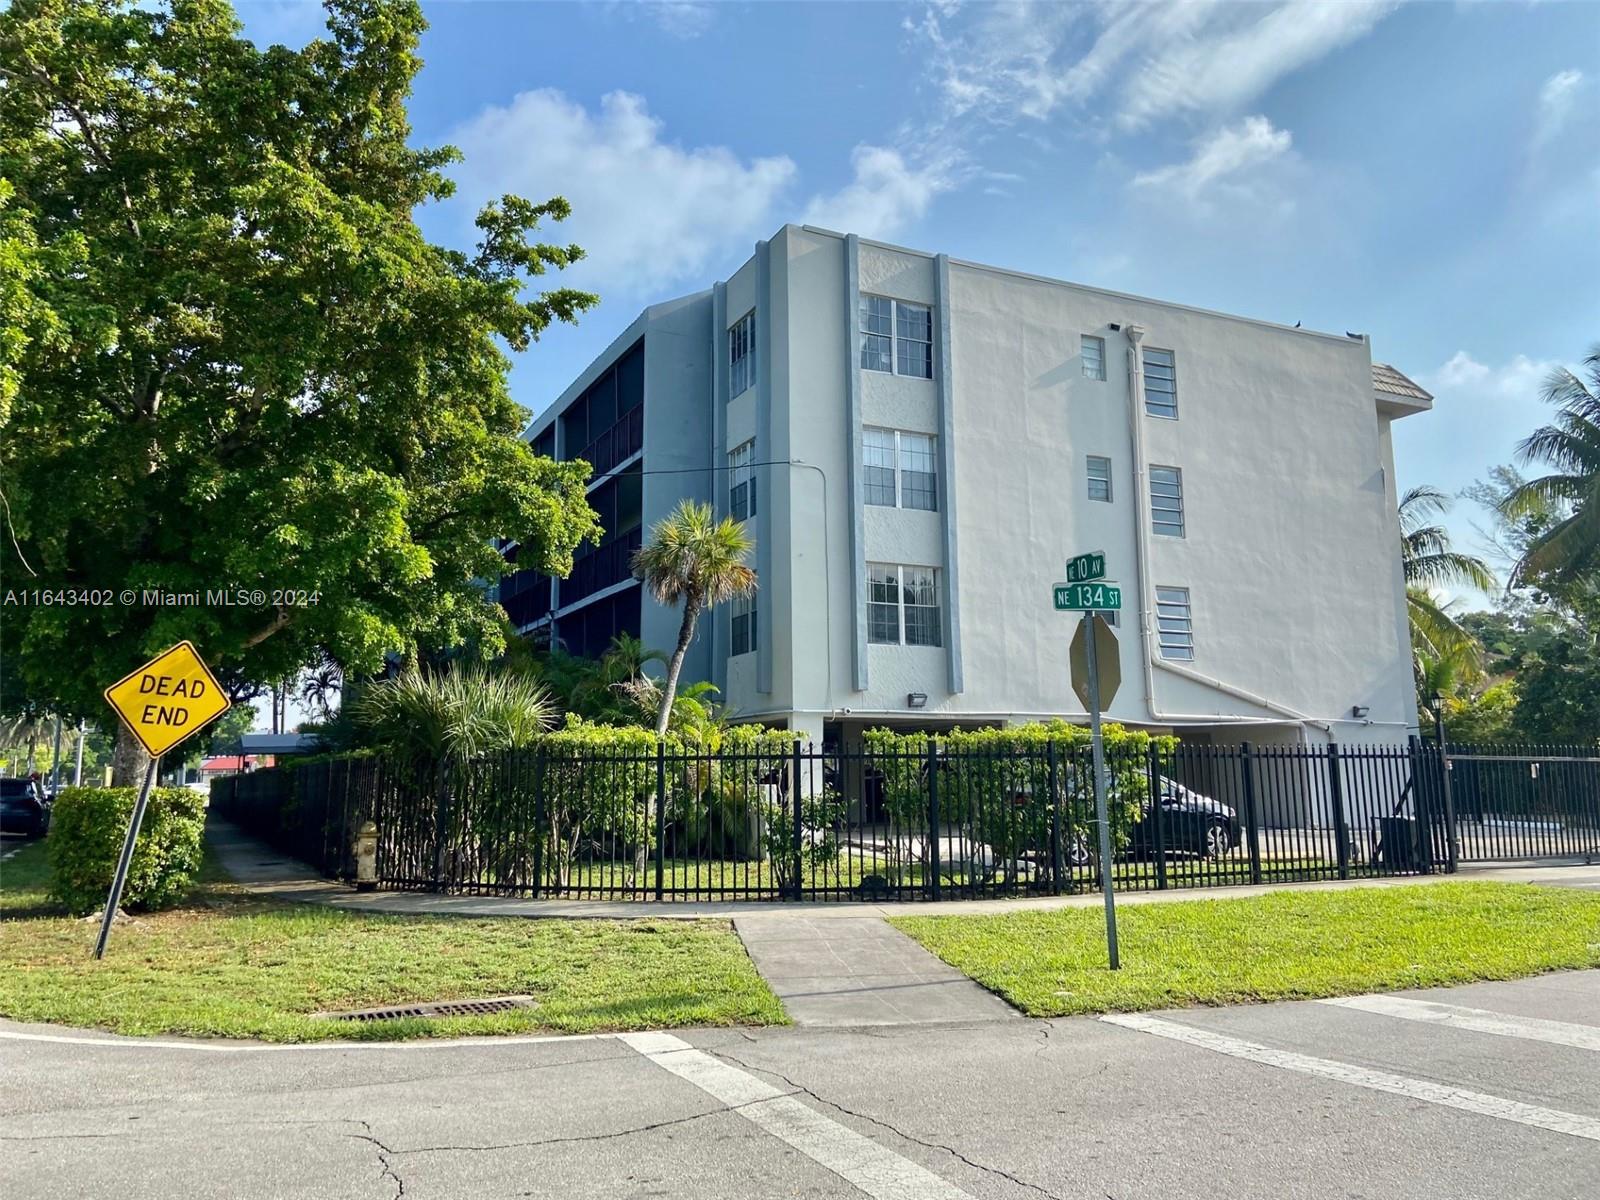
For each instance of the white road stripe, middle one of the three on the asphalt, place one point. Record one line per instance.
(1484, 1105)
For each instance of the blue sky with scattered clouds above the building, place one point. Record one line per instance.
(1426, 174)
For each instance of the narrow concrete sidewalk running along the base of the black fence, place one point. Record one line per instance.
(270, 873)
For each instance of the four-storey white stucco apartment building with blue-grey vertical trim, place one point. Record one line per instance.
(921, 444)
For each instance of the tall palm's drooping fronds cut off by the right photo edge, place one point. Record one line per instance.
(1567, 551)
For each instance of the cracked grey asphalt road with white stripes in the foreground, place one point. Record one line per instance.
(1481, 1092)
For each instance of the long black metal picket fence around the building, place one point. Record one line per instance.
(948, 823)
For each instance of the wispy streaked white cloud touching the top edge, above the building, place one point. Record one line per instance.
(1143, 62)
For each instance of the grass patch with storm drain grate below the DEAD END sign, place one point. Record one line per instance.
(234, 966)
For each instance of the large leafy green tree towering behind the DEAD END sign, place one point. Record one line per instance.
(258, 374)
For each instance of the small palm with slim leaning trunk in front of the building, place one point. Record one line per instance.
(702, 562)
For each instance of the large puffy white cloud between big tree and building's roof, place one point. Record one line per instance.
(649, 212)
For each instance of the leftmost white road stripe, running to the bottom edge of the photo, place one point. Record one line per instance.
(862, 1162)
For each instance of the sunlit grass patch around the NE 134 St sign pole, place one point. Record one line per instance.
(1281, 946)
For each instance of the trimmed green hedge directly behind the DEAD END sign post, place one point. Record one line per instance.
(87, 830)
